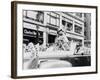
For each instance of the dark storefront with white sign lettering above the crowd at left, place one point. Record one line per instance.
(30, 35)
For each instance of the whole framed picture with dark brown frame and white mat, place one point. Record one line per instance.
(53, 39)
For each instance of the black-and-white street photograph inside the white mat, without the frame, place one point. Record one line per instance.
(54, 39)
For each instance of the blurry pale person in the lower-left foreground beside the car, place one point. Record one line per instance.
(30, 57)
